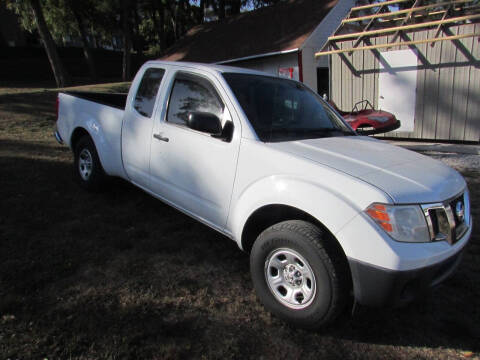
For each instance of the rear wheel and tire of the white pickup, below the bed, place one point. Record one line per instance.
(88, 170)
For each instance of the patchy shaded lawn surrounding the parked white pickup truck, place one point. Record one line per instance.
(121, 275)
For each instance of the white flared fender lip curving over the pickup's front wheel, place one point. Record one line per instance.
(334, 210)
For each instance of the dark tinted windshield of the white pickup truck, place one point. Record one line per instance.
(284, 110)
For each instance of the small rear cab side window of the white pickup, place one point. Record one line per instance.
(147, 91)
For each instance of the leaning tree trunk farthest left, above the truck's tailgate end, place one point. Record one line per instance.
(61, 76)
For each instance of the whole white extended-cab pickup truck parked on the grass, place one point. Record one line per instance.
(327, 216)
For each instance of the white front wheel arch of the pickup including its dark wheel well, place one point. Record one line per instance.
(278, 198)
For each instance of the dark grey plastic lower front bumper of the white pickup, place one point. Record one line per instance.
(375, 286)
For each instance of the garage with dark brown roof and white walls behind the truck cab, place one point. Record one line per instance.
(280, 39)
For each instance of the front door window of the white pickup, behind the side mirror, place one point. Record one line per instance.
(192, 93)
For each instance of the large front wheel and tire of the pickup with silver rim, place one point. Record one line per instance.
(316, 297)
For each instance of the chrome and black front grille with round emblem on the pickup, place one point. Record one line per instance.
(448, 221)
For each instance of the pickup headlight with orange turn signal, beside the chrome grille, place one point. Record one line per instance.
(402, 222)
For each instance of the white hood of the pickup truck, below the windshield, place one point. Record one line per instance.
(406, 176)
